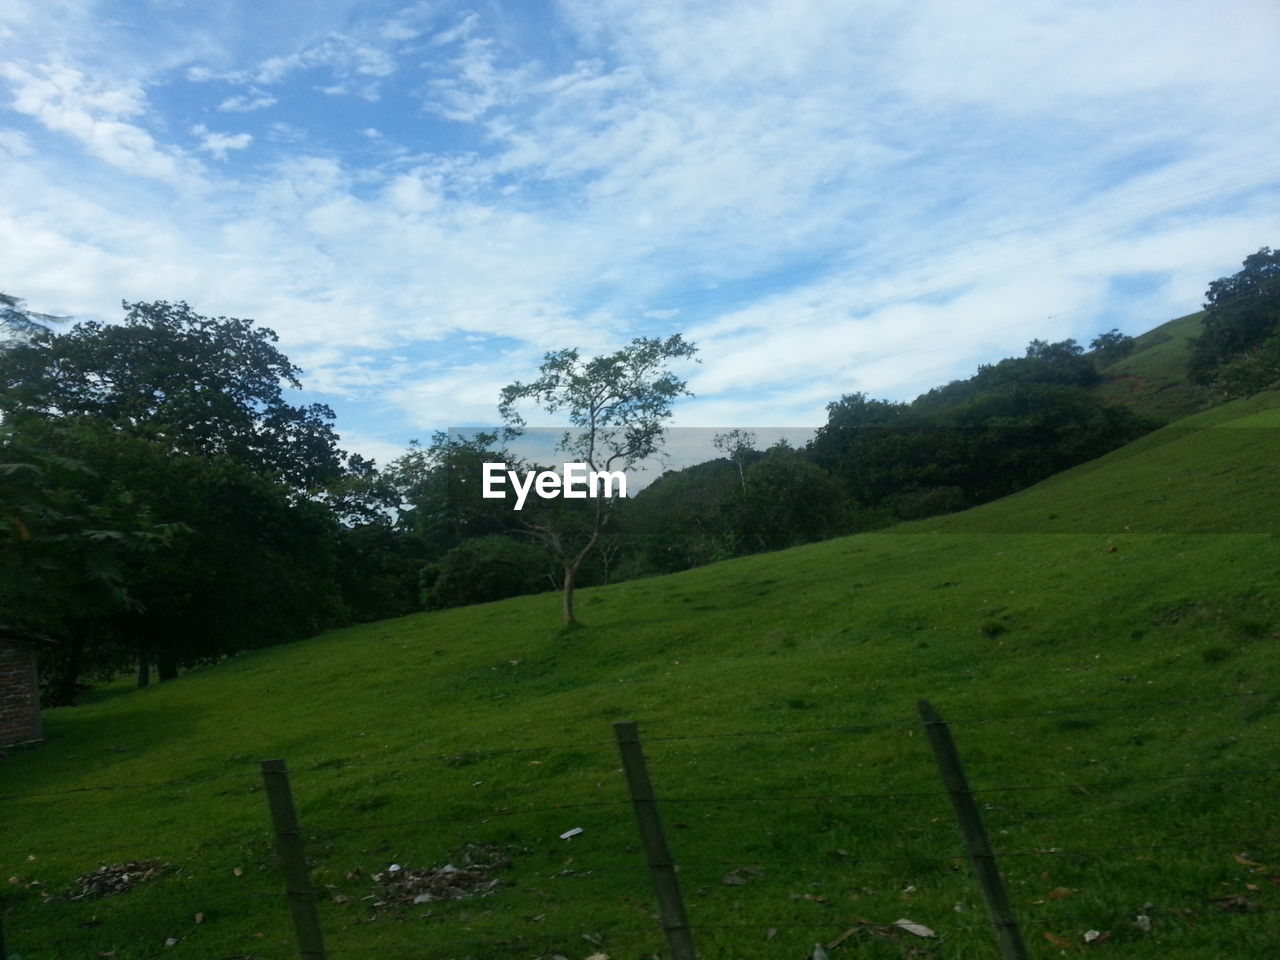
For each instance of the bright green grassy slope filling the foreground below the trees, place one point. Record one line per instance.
(1105, 646)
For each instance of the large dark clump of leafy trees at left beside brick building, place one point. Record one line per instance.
(166, 506)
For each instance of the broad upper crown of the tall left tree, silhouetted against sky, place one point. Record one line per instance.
(205, 386)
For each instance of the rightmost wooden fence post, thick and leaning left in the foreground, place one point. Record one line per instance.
(981, 854)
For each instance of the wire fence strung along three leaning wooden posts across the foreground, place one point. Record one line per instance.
(778, 843)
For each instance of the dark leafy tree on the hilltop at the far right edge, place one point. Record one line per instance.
(1242, 312)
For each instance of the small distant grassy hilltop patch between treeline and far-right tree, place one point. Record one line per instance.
(1154, 378)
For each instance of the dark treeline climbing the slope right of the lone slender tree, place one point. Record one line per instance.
(875, 463)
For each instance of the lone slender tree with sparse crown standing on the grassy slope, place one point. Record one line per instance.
(618, 406)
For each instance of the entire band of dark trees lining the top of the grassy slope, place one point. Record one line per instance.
(162, 505)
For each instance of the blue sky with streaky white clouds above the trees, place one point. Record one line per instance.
(825, 196)
